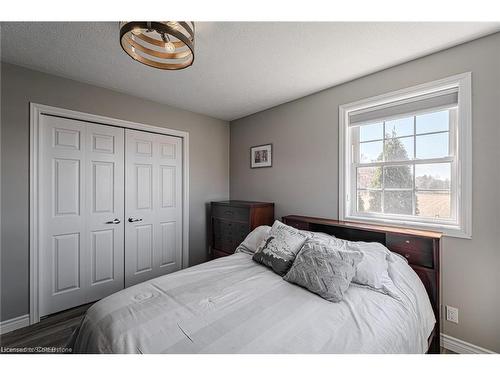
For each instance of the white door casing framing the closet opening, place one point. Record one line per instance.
(36, 110)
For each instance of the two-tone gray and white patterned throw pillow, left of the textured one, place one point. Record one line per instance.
(279, 249)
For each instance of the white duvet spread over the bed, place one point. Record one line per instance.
(234, 305)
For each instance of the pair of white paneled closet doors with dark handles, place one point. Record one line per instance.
(110, 210)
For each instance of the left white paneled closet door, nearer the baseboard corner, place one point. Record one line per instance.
(81, 174)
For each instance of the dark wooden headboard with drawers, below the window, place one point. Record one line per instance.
(420, 248)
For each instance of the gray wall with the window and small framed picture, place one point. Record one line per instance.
(304, 177)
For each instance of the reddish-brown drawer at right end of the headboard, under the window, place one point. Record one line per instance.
(417, 250)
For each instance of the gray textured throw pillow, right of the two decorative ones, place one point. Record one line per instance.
(324, 269)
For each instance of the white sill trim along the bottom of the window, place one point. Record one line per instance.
(446, 230)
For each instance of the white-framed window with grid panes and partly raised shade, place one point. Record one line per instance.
(405, 158)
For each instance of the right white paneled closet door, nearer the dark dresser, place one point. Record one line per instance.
(153, 205)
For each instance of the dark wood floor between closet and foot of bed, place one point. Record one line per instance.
(53, 331)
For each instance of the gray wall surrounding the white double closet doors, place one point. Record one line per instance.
(209, 163)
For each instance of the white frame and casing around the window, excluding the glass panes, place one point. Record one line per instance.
(462, 140)
